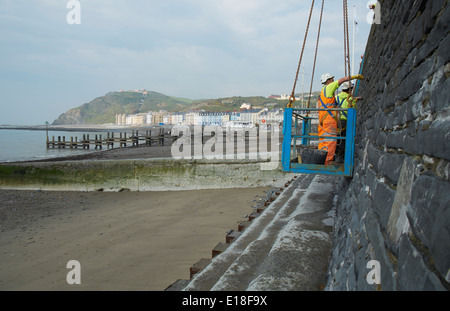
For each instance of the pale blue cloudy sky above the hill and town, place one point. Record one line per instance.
(59, 54)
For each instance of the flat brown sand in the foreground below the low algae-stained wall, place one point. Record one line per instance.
(123, 241)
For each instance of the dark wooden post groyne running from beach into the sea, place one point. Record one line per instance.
(110, 141)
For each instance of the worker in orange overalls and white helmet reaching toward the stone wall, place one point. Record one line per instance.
(328, 120)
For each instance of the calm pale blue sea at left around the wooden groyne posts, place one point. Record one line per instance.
(24, 145)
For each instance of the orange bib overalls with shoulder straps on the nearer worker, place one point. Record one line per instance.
(328, 125)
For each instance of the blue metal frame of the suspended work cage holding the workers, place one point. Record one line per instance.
(290, 143)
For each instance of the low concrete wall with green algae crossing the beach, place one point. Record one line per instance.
(141, 175)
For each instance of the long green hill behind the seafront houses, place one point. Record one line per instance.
(104, 109)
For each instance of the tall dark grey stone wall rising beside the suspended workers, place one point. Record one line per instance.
(392, 229)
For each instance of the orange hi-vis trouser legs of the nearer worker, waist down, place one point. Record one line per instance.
(327, 127)
